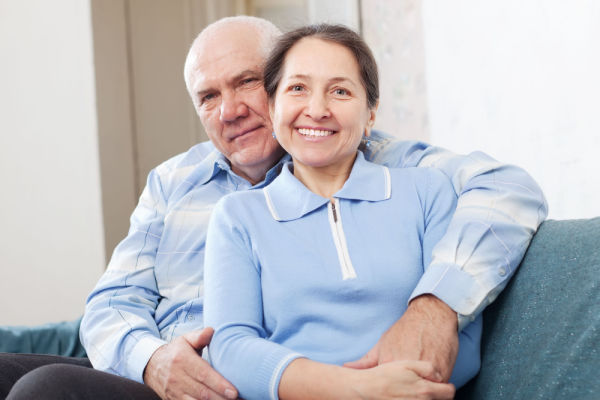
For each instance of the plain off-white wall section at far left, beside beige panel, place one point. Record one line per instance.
(51, 238)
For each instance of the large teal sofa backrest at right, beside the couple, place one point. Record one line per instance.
(541, 338)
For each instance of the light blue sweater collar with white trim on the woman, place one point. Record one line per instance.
(288, 198)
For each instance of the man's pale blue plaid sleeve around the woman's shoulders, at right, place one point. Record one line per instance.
(499, 209)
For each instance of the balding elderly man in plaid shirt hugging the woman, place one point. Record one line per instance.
(143, 321)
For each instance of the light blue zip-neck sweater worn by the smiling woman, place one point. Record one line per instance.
(288, 274)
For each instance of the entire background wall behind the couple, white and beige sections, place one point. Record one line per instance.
(92, 97)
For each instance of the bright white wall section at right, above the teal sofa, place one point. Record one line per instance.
(520, 80)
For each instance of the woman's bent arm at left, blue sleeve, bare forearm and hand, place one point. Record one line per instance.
(261, 369)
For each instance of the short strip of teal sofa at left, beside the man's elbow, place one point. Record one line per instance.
(60, 338)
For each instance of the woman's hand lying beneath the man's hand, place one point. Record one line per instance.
(401, 380)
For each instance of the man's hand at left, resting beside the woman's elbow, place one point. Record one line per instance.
(177, 371)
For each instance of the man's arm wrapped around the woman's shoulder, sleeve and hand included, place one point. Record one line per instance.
(499, 209)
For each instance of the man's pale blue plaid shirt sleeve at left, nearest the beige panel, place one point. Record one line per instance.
(118, 329)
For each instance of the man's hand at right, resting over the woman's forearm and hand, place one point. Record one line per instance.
(427, 331)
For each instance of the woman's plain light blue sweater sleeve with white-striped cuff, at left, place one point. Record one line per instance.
(233, 307)
